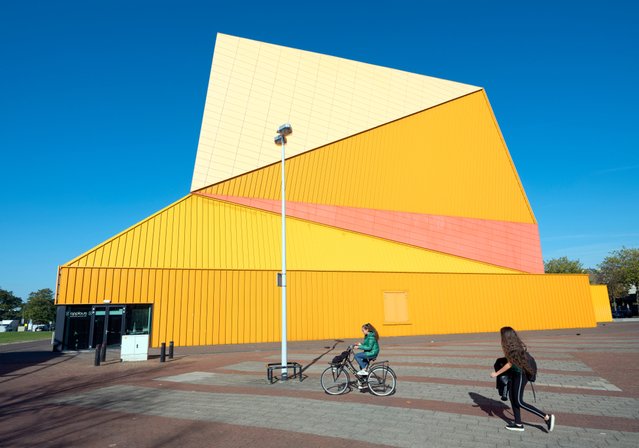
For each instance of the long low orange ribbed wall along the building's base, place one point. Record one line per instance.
(204, 307)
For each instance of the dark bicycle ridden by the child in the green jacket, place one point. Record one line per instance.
(381, 379)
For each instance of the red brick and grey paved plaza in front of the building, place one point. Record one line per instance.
(220, 397)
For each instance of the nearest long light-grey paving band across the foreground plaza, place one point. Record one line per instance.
(267, 412)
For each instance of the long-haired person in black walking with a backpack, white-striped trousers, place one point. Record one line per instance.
(517, 368)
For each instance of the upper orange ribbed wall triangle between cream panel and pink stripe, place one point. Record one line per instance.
(449, 160)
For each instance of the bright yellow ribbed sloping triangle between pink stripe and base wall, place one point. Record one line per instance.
(239, 237)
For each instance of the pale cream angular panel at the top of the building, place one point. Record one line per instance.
(255, 87)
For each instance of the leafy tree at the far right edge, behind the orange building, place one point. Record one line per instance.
(620, 271)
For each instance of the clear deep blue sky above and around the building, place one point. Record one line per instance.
(102, 102)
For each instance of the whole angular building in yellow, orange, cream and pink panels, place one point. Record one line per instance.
(404, 209)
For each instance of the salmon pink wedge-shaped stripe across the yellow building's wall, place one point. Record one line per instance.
(508, 244)
